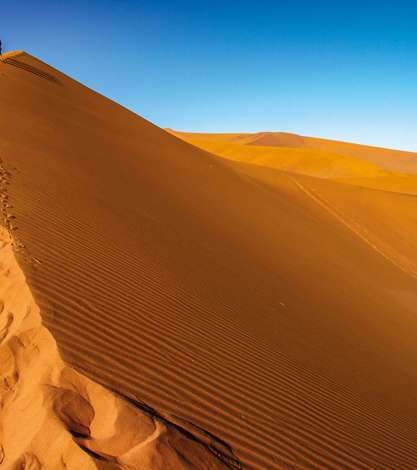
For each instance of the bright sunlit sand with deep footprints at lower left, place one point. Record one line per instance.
(52, 417)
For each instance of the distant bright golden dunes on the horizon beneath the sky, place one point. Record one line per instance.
(372, 166)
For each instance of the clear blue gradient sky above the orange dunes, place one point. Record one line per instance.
(338, 69)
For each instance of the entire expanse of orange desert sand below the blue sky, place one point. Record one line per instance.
(170, 306)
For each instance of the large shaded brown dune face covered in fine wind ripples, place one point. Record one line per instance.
(259, 308)
